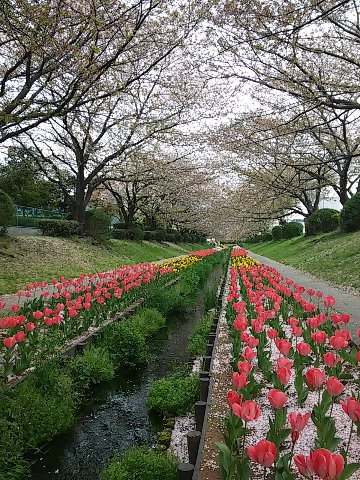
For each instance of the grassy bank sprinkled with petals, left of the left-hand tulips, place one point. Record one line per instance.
(28, 259)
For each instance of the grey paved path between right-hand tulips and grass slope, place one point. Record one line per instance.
(345, 302)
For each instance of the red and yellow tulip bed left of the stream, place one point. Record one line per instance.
(51, 316)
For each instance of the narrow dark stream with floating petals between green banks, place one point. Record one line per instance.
(115, 415)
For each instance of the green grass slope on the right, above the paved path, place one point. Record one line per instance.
(333, 256)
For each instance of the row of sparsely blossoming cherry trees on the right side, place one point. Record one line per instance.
(298, 64)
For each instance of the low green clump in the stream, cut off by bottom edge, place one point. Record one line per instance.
(141, 463)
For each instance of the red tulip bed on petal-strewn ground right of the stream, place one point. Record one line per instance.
(294, 409)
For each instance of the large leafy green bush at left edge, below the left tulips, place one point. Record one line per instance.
(42, 406)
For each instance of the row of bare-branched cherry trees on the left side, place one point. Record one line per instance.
(95, 103)
